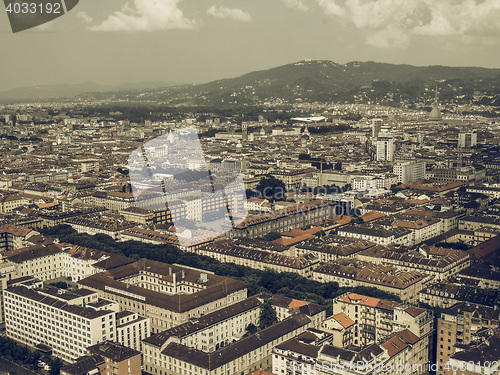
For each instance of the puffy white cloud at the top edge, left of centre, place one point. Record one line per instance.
(146, 15)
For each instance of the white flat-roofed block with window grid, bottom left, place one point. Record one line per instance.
(57, 319)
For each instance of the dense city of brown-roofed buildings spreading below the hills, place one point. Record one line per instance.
(306, 238)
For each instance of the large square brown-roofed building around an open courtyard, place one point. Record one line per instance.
(167, 294)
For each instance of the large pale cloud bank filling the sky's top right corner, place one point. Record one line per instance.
(392, 23)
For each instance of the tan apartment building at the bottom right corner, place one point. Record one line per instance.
(457, 326)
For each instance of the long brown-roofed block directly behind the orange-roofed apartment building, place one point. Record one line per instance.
(352, 272)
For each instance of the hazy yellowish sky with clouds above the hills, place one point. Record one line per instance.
(194, 41)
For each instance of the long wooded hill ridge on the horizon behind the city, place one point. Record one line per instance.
(323, 81)
